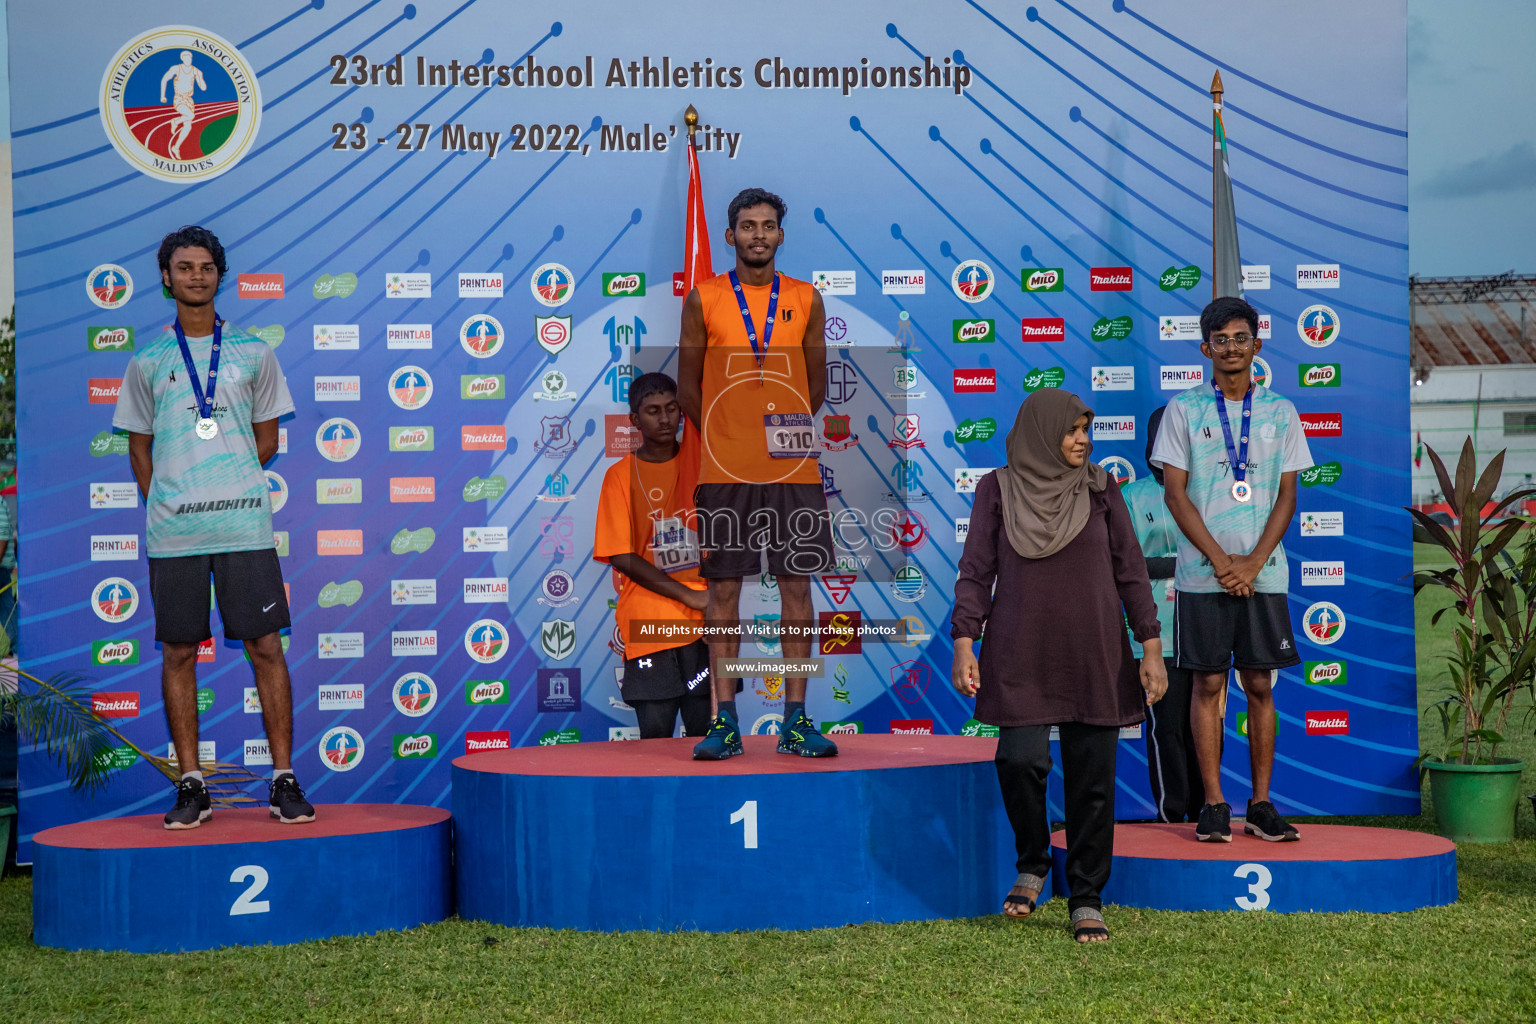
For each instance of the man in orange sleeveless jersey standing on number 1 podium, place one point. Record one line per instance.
(752, 374)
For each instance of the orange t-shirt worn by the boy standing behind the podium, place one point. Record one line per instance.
(635, 495)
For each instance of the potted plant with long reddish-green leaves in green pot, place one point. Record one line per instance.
(1474, 790)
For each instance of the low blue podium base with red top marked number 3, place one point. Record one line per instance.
(1334, 868)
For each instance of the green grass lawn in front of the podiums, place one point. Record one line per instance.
(1469, 962)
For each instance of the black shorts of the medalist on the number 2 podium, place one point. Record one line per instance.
(250, 586)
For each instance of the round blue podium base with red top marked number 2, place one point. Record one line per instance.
(240, 880)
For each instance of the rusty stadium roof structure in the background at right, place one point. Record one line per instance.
(1472, 322)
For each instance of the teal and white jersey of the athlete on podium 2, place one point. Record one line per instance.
(205, 497)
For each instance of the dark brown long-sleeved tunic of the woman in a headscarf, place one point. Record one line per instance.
(1056, 642)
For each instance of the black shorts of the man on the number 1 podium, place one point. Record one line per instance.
(741, 521)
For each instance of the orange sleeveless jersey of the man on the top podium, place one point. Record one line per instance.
(738, 395)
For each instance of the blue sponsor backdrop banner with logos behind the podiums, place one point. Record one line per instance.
(460, 225)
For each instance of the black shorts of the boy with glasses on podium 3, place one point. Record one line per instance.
(1219, 632)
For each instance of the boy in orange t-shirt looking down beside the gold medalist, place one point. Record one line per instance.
(647, 533)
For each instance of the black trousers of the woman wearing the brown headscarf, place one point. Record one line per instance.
(1088, 768)
